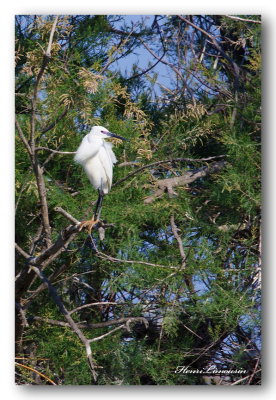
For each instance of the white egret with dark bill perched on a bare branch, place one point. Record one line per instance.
(97, 158)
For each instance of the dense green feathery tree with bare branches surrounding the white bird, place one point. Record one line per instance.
(171, 275)
